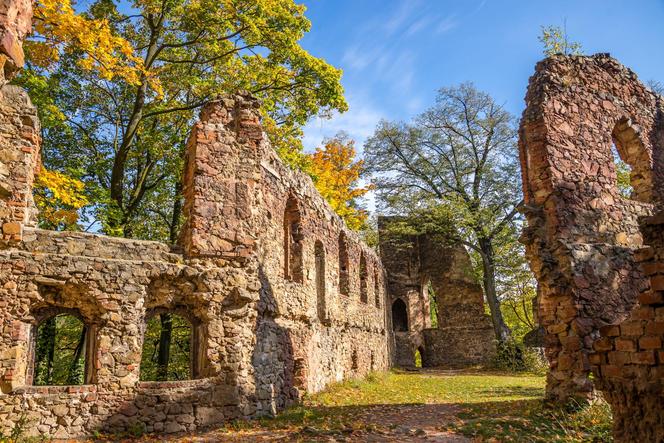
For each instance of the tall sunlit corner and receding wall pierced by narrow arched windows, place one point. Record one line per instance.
(331, 335)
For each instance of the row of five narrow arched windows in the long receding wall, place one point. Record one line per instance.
(294, 262)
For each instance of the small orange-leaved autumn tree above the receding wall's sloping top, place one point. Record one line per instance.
(336, 174)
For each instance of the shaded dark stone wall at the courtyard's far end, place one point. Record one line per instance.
(464, 335)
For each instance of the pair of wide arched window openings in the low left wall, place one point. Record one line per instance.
(64, 344)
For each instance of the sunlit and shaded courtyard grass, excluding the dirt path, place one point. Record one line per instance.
(493, 406)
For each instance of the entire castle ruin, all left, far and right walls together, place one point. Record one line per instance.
(281, 298)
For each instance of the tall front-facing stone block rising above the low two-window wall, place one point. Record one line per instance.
(222, 168)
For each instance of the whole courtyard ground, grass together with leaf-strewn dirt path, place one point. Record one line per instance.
(421, 406)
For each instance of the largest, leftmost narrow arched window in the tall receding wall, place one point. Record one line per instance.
(293, 242)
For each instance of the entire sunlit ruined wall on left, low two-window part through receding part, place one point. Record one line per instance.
(261, 337)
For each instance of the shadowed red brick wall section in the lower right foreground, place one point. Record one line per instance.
(629, 357)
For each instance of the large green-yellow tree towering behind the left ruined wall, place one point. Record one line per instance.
(124, 137)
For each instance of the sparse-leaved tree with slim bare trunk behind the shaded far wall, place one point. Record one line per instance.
(457, 160)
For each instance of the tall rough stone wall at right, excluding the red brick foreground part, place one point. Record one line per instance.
(581, 232)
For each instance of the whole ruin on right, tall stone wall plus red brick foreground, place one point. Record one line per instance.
(597, 255)
